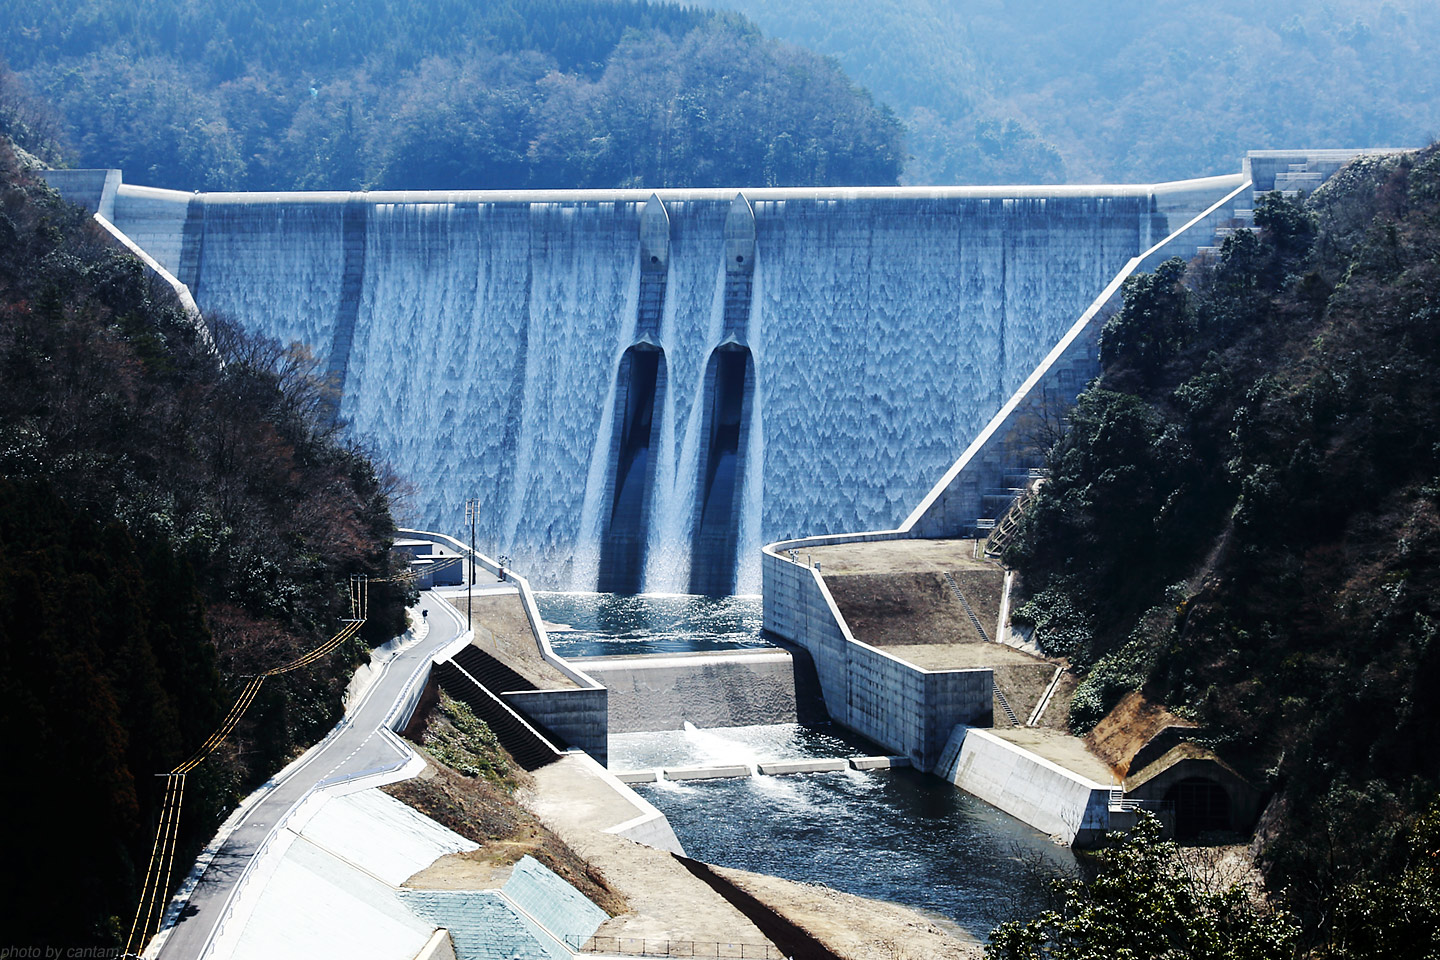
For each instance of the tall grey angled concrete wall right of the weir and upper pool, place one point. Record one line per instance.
(896, 705)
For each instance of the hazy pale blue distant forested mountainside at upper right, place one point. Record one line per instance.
(1003, 91)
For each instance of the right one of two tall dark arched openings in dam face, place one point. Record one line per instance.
(729, 392)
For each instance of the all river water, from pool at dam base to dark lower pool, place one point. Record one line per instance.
(894, 836)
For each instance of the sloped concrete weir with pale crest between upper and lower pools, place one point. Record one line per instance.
(708, 690)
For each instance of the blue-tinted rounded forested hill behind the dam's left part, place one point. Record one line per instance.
(378, 94)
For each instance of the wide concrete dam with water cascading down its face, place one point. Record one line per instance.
(643, 389)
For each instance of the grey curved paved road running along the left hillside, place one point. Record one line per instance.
(356, 751)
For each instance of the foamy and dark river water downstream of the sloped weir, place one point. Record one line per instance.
(891, 836)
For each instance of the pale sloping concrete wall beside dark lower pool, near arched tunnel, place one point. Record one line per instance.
(1027, 787)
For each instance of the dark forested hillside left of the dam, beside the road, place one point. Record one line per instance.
(171, 522)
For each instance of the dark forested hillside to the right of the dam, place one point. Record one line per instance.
(1243, 522)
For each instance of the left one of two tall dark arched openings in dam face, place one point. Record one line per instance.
(640, 391)
